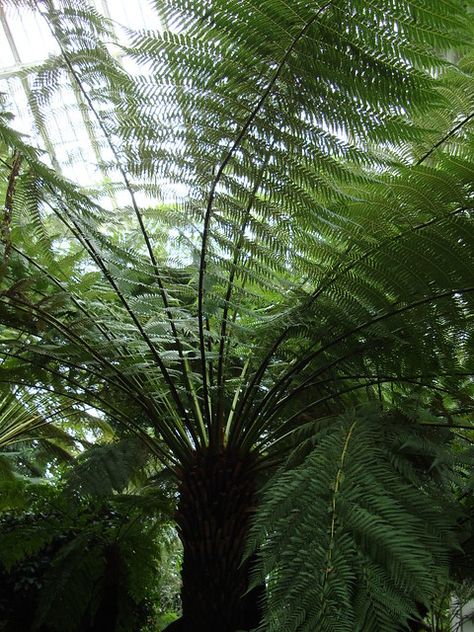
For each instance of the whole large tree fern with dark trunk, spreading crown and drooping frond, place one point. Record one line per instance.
(286, 268)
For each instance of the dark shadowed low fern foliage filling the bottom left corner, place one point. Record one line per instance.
(78, 565)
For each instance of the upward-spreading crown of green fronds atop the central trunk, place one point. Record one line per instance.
(291, 250)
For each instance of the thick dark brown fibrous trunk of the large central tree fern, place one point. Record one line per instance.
(217, 499)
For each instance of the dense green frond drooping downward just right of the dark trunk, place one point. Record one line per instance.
(357, 533)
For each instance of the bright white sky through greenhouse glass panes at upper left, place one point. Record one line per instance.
(25, 40)
